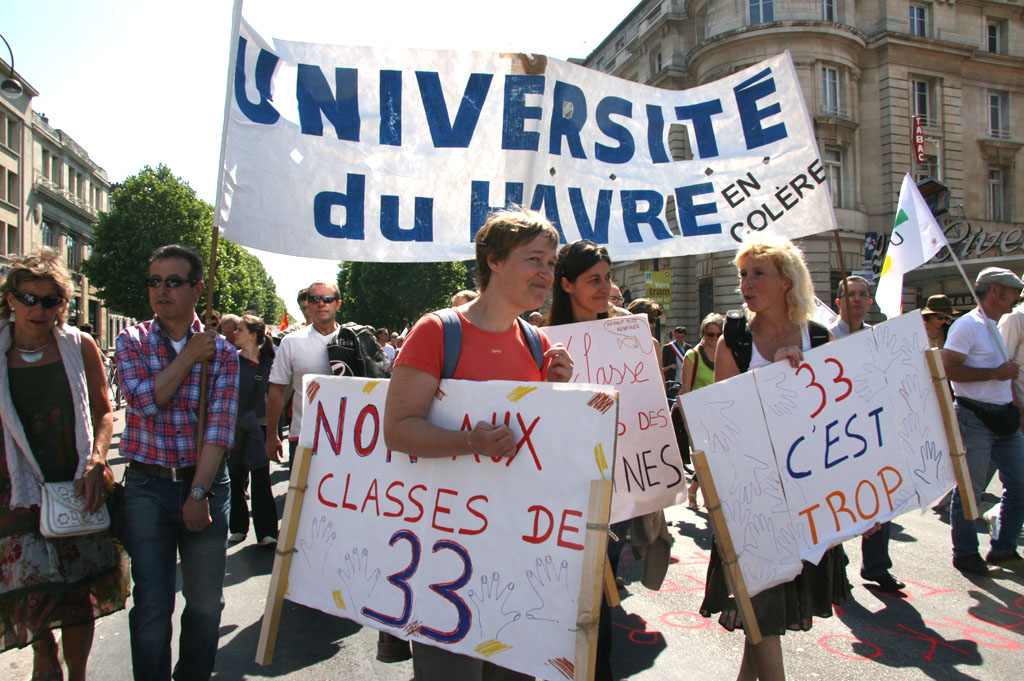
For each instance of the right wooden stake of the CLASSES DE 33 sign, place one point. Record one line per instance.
(595, 571)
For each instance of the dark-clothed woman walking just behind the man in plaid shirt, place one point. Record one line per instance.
(247, 463)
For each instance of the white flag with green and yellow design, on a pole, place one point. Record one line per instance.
(916, 240)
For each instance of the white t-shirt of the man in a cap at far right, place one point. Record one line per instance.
(972, 335)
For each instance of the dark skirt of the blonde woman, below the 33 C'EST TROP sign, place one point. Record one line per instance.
(790, 607)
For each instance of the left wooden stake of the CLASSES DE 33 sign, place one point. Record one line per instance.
(283, 558)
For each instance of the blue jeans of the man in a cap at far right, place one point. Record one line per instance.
(1007, 454)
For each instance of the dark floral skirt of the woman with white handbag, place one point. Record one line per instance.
(50, 584)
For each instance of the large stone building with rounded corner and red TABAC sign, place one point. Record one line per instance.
(866, 70)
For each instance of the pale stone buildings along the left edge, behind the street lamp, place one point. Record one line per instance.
(52, 195)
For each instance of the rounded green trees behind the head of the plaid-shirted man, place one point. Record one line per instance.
(155, 208)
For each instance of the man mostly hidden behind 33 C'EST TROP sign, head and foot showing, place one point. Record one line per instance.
(854, 303)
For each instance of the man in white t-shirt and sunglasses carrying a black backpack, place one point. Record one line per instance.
(302, 353)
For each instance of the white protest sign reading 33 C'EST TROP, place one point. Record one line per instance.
(804, 459)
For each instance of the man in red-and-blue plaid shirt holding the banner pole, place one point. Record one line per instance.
(176, 501)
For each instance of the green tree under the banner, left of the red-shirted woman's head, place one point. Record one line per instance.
(397, 294)
